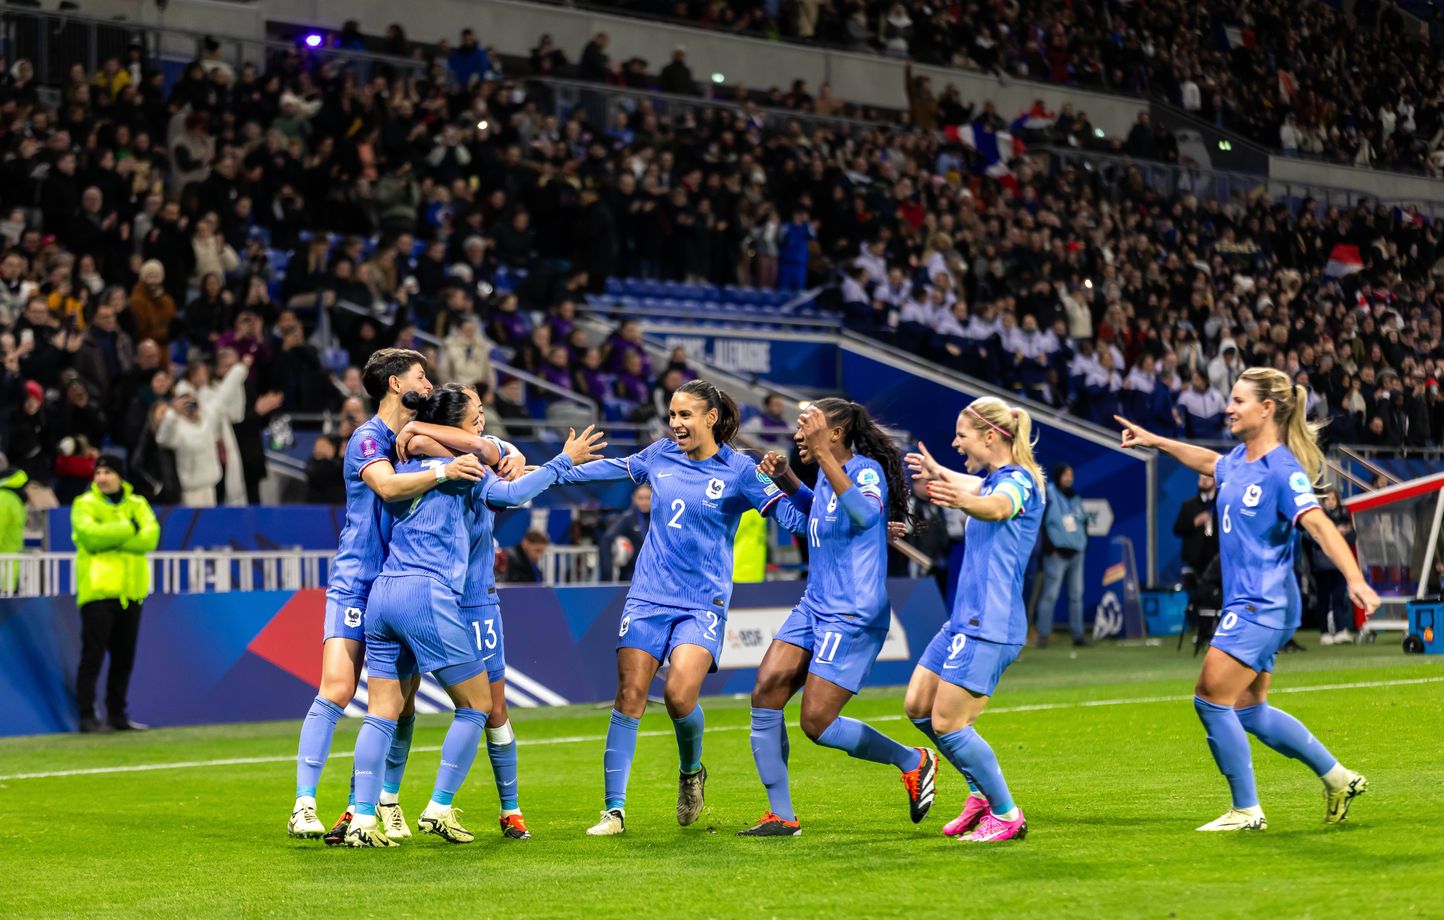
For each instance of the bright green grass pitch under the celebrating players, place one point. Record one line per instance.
(1101, 749)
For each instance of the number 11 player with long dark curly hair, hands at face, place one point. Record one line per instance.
(834, 636)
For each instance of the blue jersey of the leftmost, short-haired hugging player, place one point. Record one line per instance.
(365, 537)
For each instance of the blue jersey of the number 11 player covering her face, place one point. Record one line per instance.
(847, 547)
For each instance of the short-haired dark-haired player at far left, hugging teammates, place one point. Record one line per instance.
(372, 479)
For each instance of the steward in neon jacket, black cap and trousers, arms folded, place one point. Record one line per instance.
(113, 531)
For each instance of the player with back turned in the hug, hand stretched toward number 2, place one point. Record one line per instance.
(415, 620)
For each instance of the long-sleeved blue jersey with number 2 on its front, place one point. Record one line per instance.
(687, 560)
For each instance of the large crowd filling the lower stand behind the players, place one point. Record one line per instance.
(184, 265)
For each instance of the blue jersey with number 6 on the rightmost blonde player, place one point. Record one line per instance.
(1258, 506)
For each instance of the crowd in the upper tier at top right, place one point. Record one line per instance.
(1361, 89)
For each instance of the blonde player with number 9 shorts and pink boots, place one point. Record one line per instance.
(961, 668)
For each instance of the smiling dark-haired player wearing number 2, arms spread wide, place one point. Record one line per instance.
(677, 607)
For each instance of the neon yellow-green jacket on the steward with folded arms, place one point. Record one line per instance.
(112, 541)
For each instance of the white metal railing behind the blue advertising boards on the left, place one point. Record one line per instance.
(222, 571)
